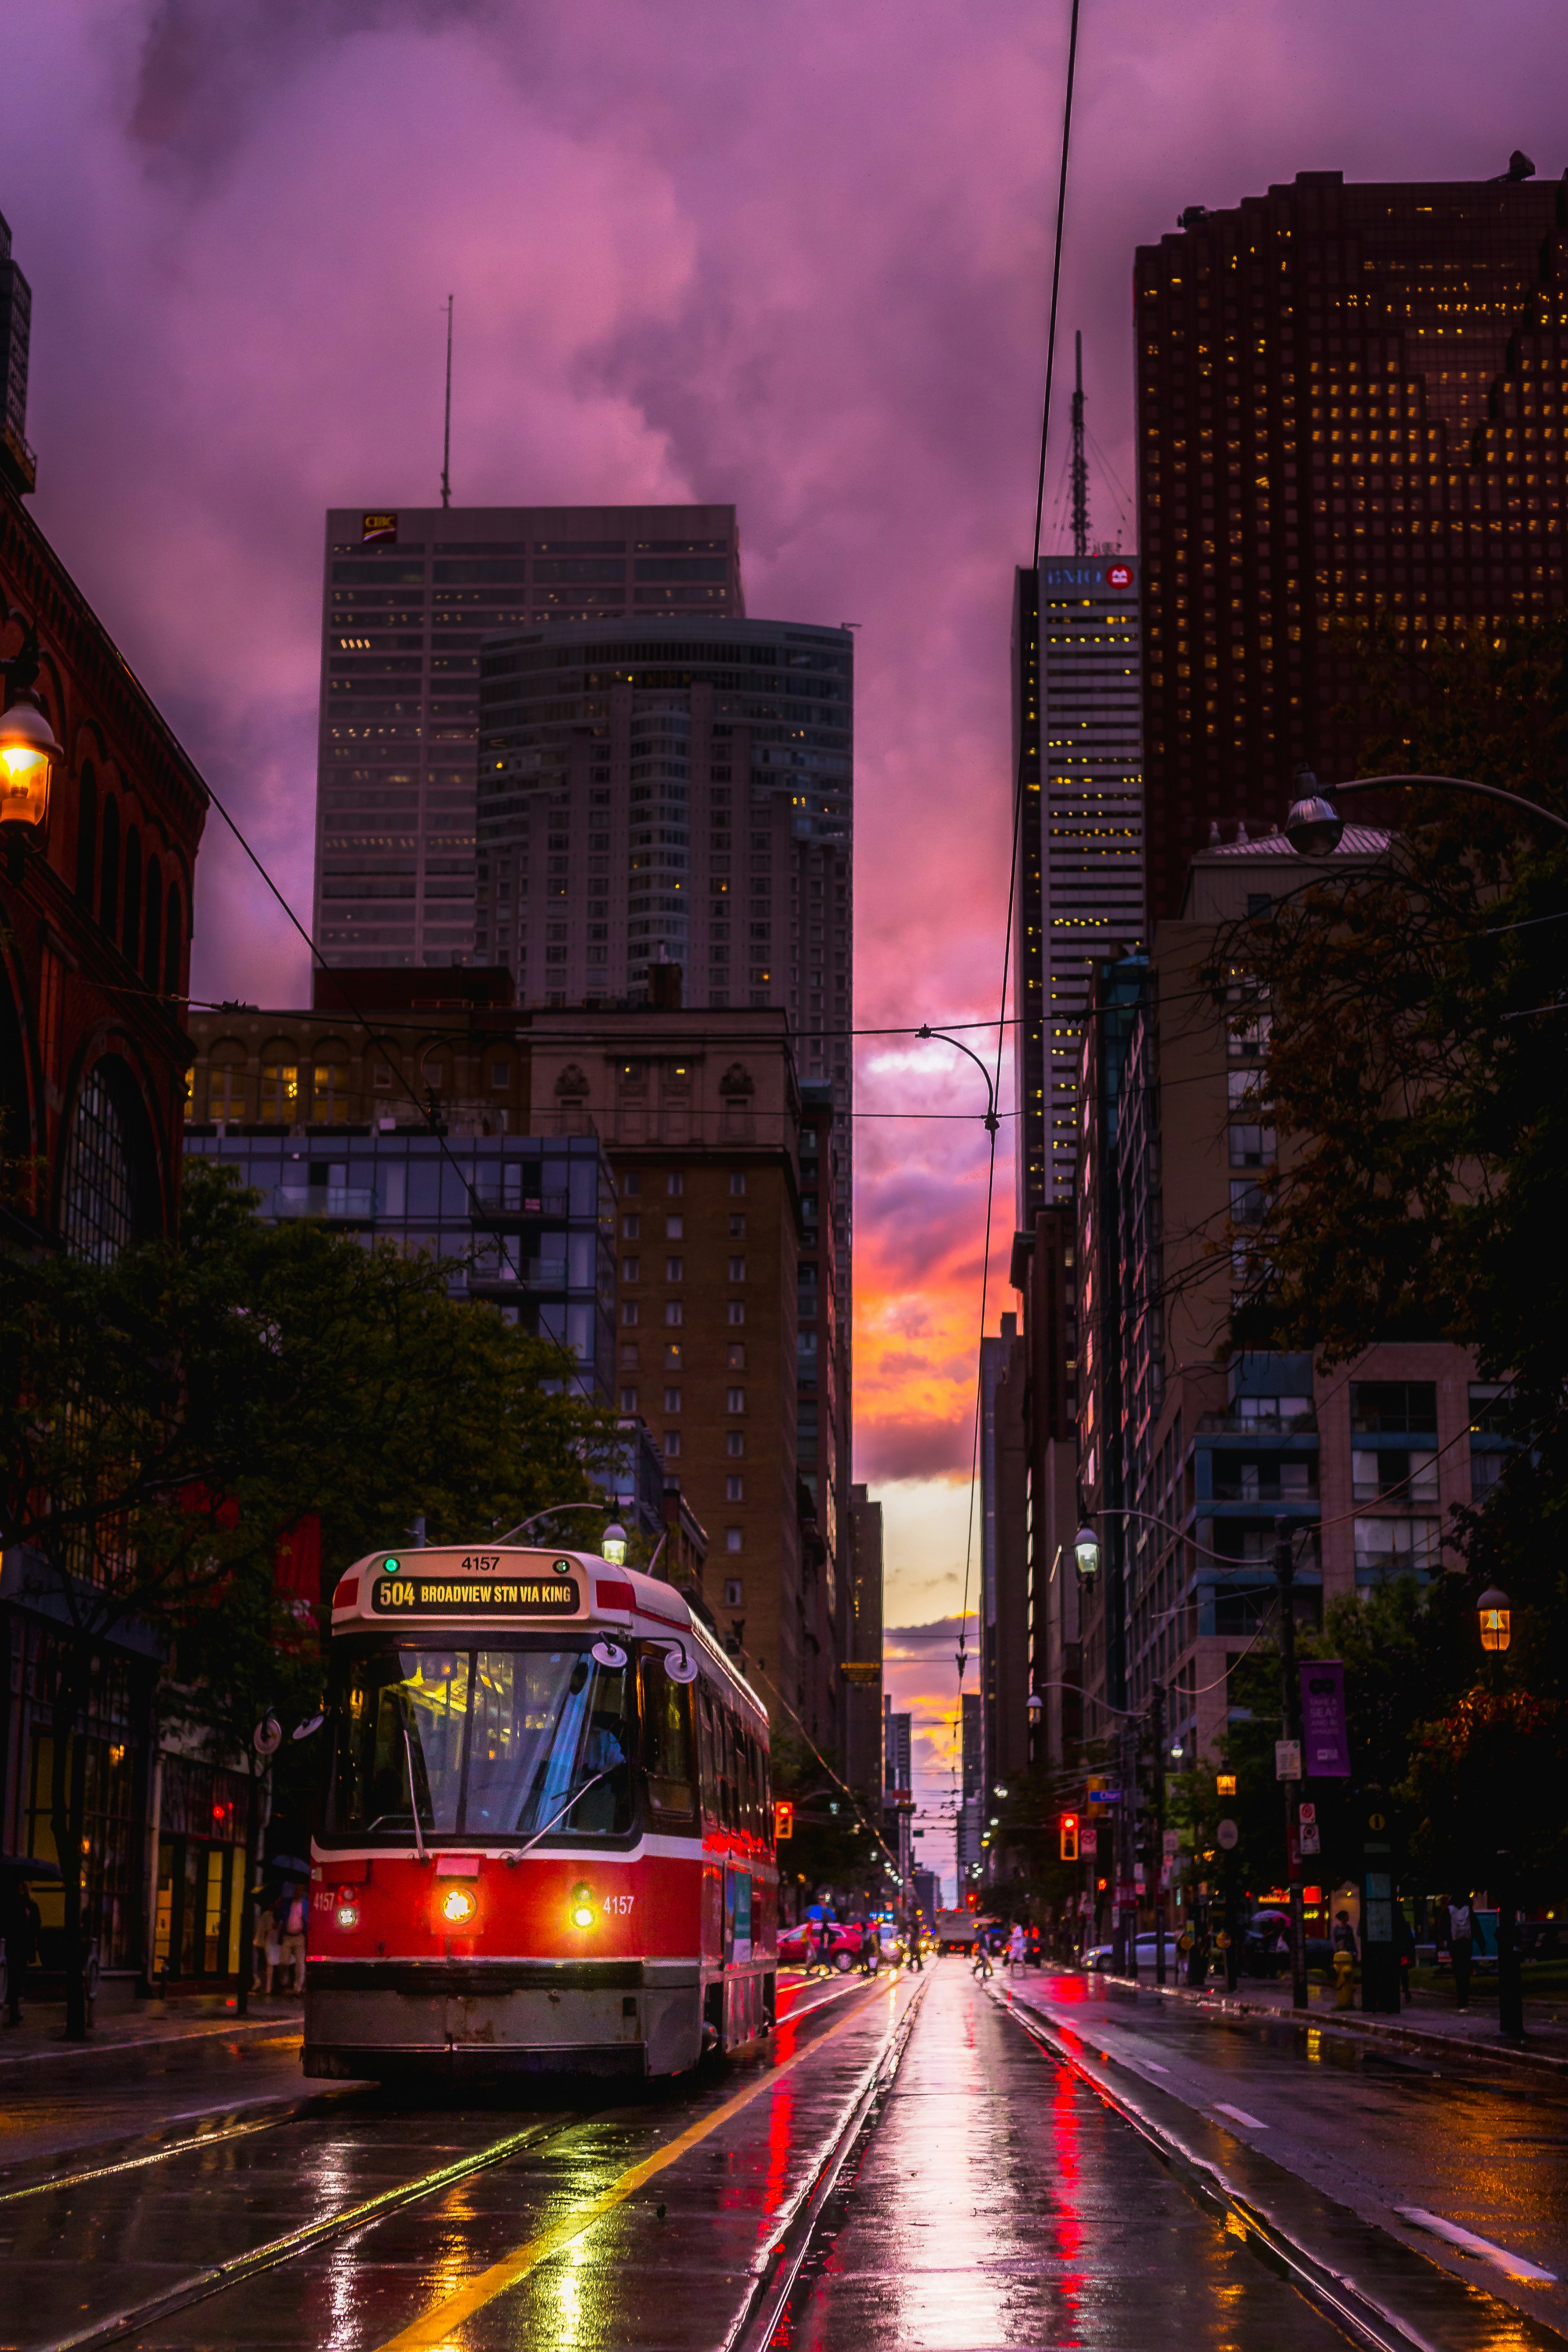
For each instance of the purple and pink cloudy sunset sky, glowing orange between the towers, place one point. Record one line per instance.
(786, 253)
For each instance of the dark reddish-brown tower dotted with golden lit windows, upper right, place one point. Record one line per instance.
(1351, 408)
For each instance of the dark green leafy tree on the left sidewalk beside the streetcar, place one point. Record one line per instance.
(175, 1412)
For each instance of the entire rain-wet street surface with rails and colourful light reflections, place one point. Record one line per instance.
(991, 2196)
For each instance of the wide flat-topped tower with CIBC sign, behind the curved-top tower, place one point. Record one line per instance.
(408, 599)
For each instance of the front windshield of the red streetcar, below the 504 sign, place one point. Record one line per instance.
(483, 1742)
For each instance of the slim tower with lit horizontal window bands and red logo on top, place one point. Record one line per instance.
(1080, 834)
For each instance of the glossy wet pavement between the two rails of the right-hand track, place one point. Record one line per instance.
(1003, 2205)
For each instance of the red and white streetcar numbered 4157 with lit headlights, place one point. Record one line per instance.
(547, 1838)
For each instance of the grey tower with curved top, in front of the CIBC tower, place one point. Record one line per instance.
(678, 791)
